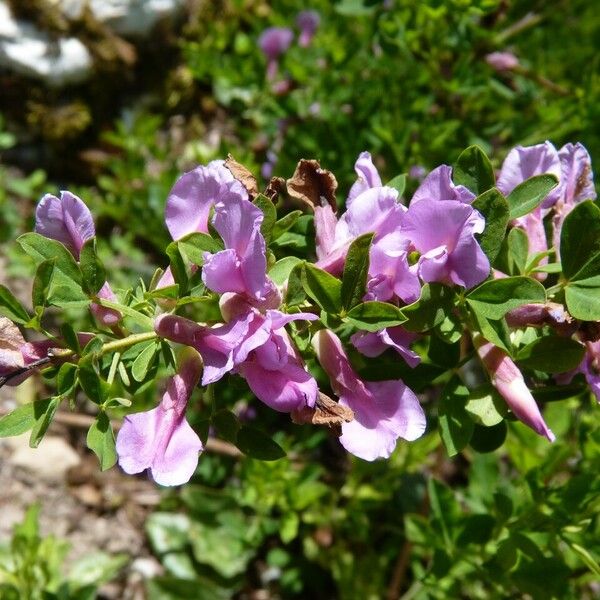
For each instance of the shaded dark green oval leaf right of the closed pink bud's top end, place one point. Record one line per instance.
(551, 354)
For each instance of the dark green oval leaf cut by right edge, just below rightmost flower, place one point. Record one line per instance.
(580, 242)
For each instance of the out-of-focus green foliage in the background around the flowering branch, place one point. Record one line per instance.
(407, 81)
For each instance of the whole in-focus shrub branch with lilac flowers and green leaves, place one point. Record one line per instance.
(485, 288)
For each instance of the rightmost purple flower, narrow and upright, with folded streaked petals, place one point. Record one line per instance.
(578, 185)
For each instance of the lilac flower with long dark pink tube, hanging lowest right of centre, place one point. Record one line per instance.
(383, 410)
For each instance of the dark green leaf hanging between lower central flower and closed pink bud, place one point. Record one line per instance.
(456, 426)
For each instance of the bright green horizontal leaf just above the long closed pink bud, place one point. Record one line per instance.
(493, 299)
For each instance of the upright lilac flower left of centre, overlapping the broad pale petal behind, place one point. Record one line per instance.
(241, 267)
